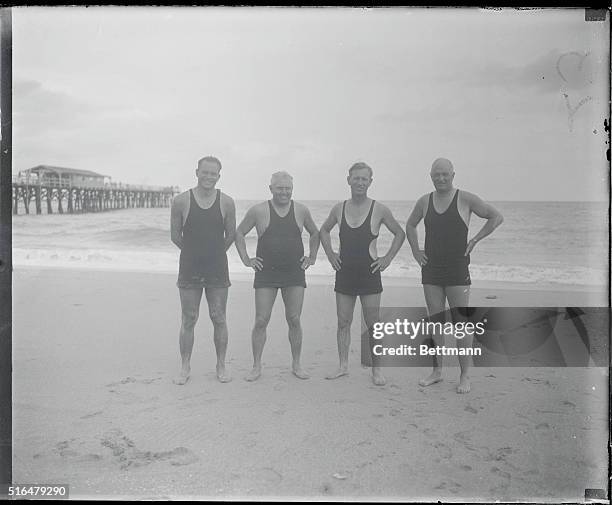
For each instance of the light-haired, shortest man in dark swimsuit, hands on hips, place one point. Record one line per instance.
(279, 264)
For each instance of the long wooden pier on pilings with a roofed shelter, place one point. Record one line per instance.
(73, 199)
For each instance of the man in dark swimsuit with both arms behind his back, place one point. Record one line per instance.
(203, 226)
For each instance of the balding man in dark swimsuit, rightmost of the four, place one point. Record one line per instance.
(444, 262)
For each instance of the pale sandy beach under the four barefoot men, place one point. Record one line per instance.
(94, 406)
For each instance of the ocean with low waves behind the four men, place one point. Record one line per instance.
(539, 242)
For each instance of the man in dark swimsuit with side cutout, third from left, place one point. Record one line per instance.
(357, 265)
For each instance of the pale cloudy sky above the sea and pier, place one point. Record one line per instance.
(140, 94)
